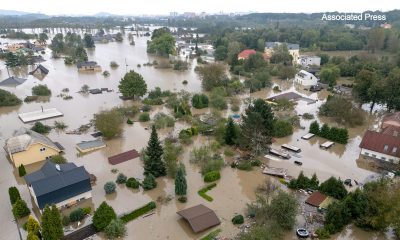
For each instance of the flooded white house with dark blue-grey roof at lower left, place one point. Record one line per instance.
(61, 184)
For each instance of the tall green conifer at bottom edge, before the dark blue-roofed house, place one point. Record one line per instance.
(52, 228)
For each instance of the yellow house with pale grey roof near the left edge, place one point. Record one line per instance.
(27, 147)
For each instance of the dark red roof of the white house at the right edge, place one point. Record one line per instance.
(376, 141)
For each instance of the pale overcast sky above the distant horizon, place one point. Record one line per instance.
(140, 7)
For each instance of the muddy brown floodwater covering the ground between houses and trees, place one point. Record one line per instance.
(233, 191)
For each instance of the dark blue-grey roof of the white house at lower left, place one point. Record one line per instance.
(49, 178)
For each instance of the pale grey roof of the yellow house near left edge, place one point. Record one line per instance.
(24, 138)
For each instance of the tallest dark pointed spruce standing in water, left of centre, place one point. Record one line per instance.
(153, 163)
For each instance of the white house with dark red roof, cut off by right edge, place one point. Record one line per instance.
(384, 144)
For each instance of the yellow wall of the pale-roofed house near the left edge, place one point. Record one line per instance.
(33, 154)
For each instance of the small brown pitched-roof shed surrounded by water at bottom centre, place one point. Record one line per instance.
(200, 217)
